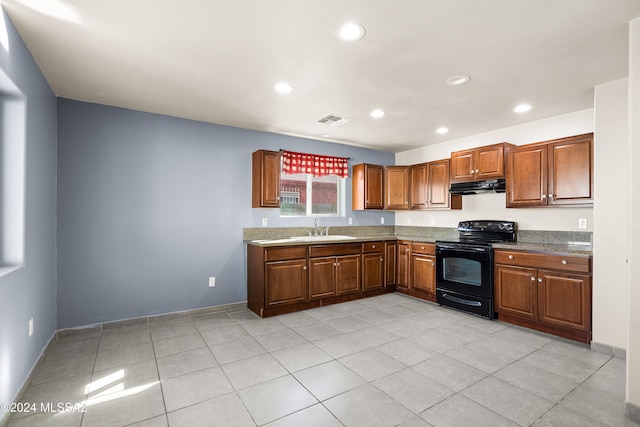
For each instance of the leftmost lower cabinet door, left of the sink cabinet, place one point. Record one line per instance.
(285, 282)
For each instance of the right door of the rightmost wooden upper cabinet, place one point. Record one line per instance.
(571, 171)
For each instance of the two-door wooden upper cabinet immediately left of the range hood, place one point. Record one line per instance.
(429, 187)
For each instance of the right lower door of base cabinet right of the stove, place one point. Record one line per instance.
(565, 299)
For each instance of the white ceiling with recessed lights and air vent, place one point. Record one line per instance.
(218, 61)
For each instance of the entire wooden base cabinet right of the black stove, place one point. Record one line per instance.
(551, 293)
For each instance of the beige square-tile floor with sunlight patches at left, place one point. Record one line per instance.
(385, 361)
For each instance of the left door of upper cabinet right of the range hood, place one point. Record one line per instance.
(527, 176)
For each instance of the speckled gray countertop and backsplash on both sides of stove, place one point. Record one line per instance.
(575, 243)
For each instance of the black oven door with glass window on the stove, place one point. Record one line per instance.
(465, 269)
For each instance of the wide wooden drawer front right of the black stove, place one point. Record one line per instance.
(548, 261)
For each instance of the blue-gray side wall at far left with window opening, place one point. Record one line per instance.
(30, 290)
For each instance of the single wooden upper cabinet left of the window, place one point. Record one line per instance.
(265, 191)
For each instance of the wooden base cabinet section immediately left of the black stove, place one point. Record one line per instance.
(416, 269)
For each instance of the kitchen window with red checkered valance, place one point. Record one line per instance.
(310, 185)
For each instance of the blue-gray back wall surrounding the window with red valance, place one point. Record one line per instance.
(150, 206)
